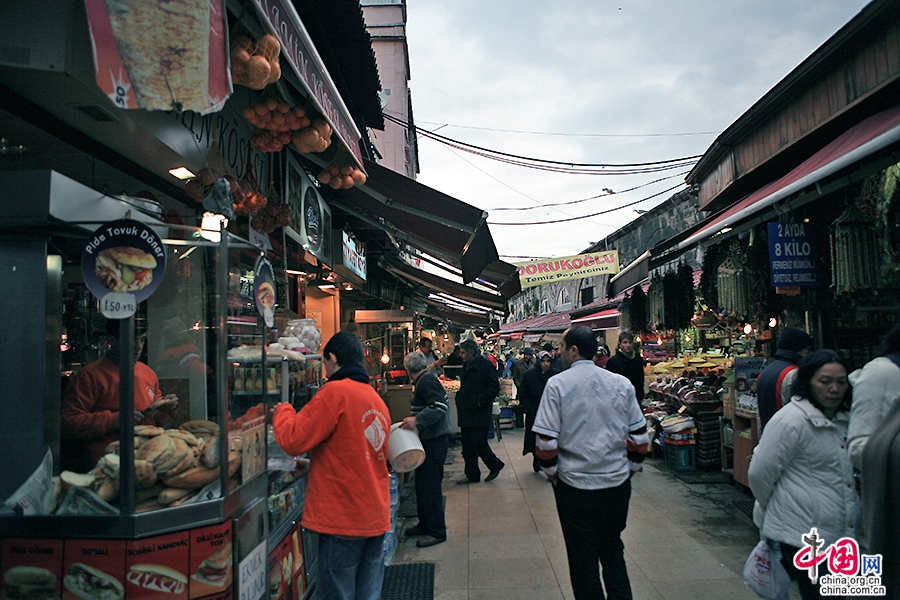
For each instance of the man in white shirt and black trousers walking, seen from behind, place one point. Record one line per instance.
(591, 438)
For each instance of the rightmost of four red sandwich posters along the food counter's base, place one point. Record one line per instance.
(211, 562)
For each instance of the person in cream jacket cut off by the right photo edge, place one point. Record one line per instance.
(875, 387)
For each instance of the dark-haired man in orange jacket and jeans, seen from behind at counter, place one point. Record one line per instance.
(345, 429)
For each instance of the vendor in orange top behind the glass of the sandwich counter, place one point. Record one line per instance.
(90, 407)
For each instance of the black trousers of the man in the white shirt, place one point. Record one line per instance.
(592, 522)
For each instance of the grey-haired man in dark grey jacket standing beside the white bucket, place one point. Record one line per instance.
(431, 417)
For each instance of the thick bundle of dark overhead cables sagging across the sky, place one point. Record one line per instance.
(552, 165)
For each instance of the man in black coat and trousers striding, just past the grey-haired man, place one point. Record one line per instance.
(478, 387)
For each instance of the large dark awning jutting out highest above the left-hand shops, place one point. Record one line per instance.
(435, 223)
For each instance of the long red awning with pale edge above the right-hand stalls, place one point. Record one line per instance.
(860, 141)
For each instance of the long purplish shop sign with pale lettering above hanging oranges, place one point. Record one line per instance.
(303, 57)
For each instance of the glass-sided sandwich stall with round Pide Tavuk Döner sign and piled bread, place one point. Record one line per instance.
(187, 504)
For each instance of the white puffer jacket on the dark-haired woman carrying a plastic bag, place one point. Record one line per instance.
(801, 476)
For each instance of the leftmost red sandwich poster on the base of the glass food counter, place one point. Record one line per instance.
(31, 568)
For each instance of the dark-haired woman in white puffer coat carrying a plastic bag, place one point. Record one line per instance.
(800, 473)
